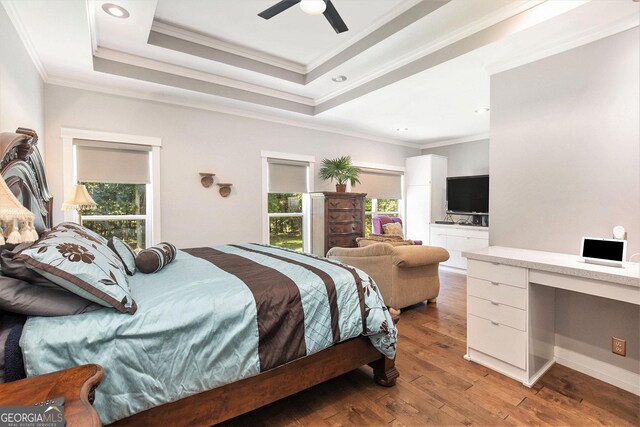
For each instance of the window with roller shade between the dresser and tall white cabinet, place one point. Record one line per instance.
(384, 194)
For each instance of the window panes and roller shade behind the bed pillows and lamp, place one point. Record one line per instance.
(118, 177)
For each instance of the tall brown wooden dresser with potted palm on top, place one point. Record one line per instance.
(337, 219)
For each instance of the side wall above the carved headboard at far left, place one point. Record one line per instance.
(21, 87)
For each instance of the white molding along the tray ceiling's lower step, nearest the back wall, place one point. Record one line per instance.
(138, 61)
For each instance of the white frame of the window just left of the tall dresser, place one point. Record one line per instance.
(306, 199)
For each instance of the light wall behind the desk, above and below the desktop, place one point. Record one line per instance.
(565, 163)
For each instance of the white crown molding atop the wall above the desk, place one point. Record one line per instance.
(558, 46)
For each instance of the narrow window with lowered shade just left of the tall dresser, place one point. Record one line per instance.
(287, 202)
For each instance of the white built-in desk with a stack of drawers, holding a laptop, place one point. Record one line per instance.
(511, 307)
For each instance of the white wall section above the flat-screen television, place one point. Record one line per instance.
(468, 158)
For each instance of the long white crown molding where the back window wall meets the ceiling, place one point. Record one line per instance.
(207, 106)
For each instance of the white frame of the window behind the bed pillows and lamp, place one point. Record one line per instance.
(70, 173)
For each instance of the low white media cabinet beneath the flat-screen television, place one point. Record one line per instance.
(456, 239)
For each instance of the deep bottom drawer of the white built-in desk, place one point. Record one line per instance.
(497, 340)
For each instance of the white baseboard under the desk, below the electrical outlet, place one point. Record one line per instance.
(603, 371)
